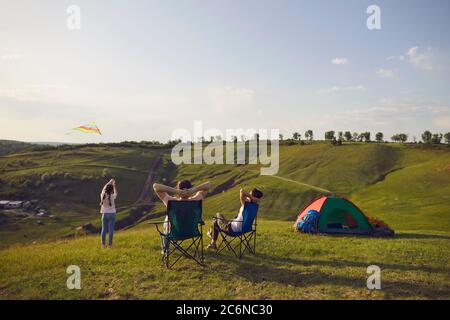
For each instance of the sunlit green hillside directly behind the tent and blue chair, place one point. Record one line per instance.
(407, 186)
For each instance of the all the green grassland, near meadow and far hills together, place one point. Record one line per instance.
(407, 186)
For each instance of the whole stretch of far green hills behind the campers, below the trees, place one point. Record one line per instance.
(405, 185)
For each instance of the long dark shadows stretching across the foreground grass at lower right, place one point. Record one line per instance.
(263, 268)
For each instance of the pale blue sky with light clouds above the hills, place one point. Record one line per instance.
(142, 69)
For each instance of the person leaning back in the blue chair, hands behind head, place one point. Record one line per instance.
(235, 225)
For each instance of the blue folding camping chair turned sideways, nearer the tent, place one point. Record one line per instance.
(246, 239)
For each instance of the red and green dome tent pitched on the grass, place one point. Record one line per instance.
(338, 215)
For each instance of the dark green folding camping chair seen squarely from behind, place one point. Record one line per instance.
(184, 222)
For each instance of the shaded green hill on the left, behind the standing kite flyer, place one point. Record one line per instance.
(67, 183)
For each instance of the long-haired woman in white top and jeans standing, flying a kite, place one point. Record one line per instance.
(108, 211)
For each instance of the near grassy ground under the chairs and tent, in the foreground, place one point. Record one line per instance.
(287, 265)
